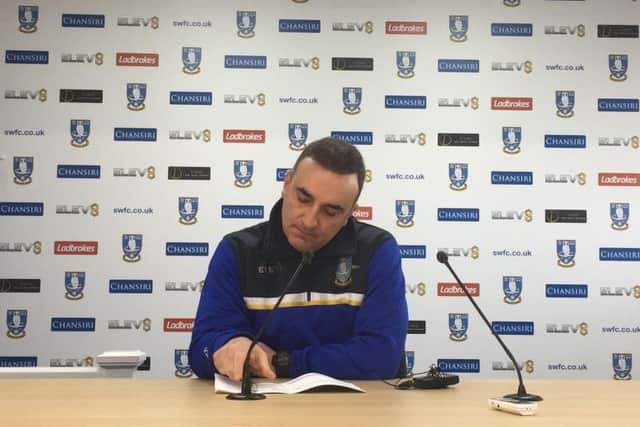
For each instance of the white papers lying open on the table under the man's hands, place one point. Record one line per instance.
(302, 383)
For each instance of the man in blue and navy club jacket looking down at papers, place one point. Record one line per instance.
(346, 314)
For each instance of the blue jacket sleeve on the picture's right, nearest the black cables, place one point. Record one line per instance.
(380, 330)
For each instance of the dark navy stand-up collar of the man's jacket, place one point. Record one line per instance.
(277, 245)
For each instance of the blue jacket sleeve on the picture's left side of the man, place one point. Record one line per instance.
(221, 314)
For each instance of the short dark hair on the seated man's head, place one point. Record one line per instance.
(337, 156)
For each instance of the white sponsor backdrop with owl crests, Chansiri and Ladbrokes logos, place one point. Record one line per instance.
(136, 134)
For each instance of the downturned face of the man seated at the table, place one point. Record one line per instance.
(316, 204)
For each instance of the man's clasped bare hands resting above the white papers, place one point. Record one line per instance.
(229, 359)
